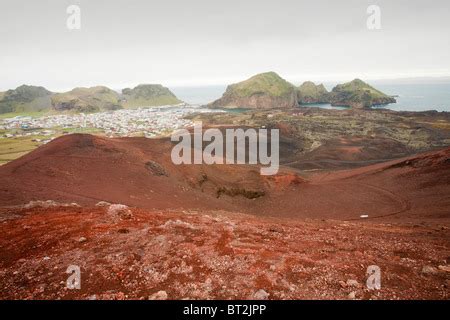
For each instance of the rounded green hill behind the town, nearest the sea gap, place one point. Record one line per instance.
(148, 95)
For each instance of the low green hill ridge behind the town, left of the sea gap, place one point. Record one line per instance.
(94, 99)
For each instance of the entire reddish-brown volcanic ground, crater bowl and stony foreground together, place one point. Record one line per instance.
(198, 231)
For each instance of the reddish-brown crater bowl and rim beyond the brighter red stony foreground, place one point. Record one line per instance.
(138, 172)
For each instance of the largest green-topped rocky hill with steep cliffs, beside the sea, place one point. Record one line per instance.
(262, 91)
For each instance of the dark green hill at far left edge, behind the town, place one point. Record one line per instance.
(25, 99)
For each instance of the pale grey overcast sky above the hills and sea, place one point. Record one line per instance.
(200, 42)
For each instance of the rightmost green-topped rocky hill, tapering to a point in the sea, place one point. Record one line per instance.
(358, 94)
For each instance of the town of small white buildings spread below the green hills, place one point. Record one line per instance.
(148, 122)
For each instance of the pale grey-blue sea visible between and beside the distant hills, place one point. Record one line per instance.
(411, 95)
